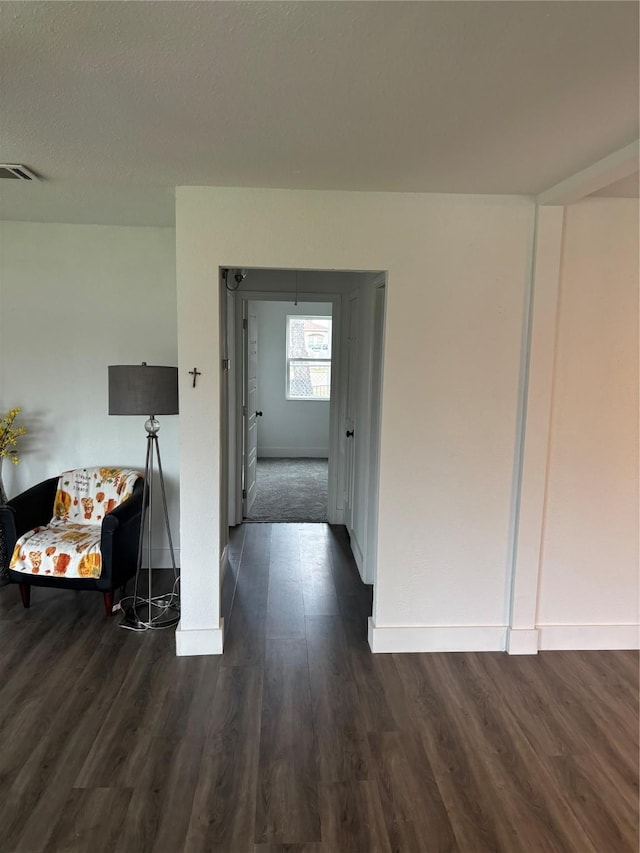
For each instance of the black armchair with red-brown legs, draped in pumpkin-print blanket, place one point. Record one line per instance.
(115, 532)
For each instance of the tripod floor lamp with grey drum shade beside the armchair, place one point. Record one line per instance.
(148, 390)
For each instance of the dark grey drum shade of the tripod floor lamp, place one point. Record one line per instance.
(142, 389)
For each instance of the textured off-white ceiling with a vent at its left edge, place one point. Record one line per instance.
(114, 104)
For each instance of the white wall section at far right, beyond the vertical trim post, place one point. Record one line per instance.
(589, 561)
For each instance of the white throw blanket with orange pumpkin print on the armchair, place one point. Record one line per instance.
(69, 546)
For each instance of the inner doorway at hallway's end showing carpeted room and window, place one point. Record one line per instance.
(286, 407)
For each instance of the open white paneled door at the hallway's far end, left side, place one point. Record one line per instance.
(249, 411)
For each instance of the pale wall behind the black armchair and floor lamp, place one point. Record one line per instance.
(74, 299)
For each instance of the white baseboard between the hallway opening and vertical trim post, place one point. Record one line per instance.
(436, 638)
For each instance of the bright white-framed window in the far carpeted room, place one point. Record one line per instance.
(308, 358)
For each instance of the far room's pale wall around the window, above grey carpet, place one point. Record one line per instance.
(288, 427)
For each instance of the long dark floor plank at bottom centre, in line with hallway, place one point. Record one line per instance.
(287, 803)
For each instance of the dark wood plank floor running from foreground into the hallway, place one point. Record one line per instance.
(298, 740)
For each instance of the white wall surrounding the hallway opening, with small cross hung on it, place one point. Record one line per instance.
(457, 274)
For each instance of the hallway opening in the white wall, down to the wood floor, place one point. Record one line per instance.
(301, 389)
